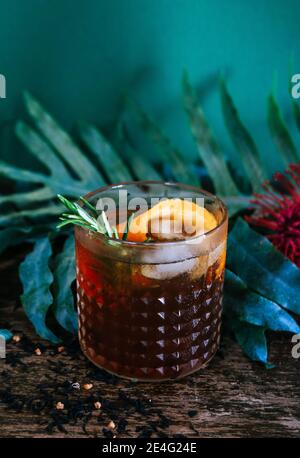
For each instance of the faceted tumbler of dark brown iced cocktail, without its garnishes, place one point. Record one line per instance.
(152, 310)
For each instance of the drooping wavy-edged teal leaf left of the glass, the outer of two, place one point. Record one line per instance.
(36, 278)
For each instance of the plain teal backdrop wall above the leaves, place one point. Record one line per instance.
(78, 57)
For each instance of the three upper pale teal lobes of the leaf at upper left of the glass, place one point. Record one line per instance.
(53, 152)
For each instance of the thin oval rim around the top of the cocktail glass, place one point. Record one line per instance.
(174, 184)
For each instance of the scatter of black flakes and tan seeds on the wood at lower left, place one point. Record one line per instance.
(74, 406)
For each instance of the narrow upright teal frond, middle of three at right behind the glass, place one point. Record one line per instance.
(242, 140)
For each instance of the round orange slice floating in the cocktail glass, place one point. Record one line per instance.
(170, 219)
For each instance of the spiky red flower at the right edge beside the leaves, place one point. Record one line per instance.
(278, 211)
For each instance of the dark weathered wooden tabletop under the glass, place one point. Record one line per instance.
(233, 397)
